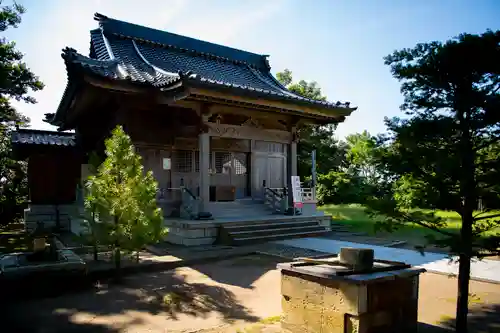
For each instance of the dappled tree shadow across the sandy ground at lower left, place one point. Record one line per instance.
(113, 308)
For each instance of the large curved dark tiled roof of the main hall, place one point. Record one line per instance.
(125, 51)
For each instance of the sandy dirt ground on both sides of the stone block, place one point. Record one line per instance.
(236, 295)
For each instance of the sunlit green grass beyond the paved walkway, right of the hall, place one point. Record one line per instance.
(357, 219)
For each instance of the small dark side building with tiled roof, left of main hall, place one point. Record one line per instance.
(54, 170)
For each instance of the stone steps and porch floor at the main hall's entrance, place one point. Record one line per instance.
(250, 222)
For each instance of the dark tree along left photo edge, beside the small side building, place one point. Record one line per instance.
(16, 82)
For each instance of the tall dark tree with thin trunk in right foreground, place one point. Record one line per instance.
(447, 145)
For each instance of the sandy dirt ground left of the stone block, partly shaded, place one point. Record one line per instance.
(186, 299)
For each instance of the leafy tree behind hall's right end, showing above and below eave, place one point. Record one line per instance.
(330, 154)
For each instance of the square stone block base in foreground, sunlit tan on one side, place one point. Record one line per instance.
(375, 302)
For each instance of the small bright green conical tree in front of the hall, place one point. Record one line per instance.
(122, 198)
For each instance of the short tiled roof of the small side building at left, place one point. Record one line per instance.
(48, 138)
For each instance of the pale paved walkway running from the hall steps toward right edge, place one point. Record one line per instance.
(487, 270)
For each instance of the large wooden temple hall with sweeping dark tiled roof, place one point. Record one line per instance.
(217, 130)
